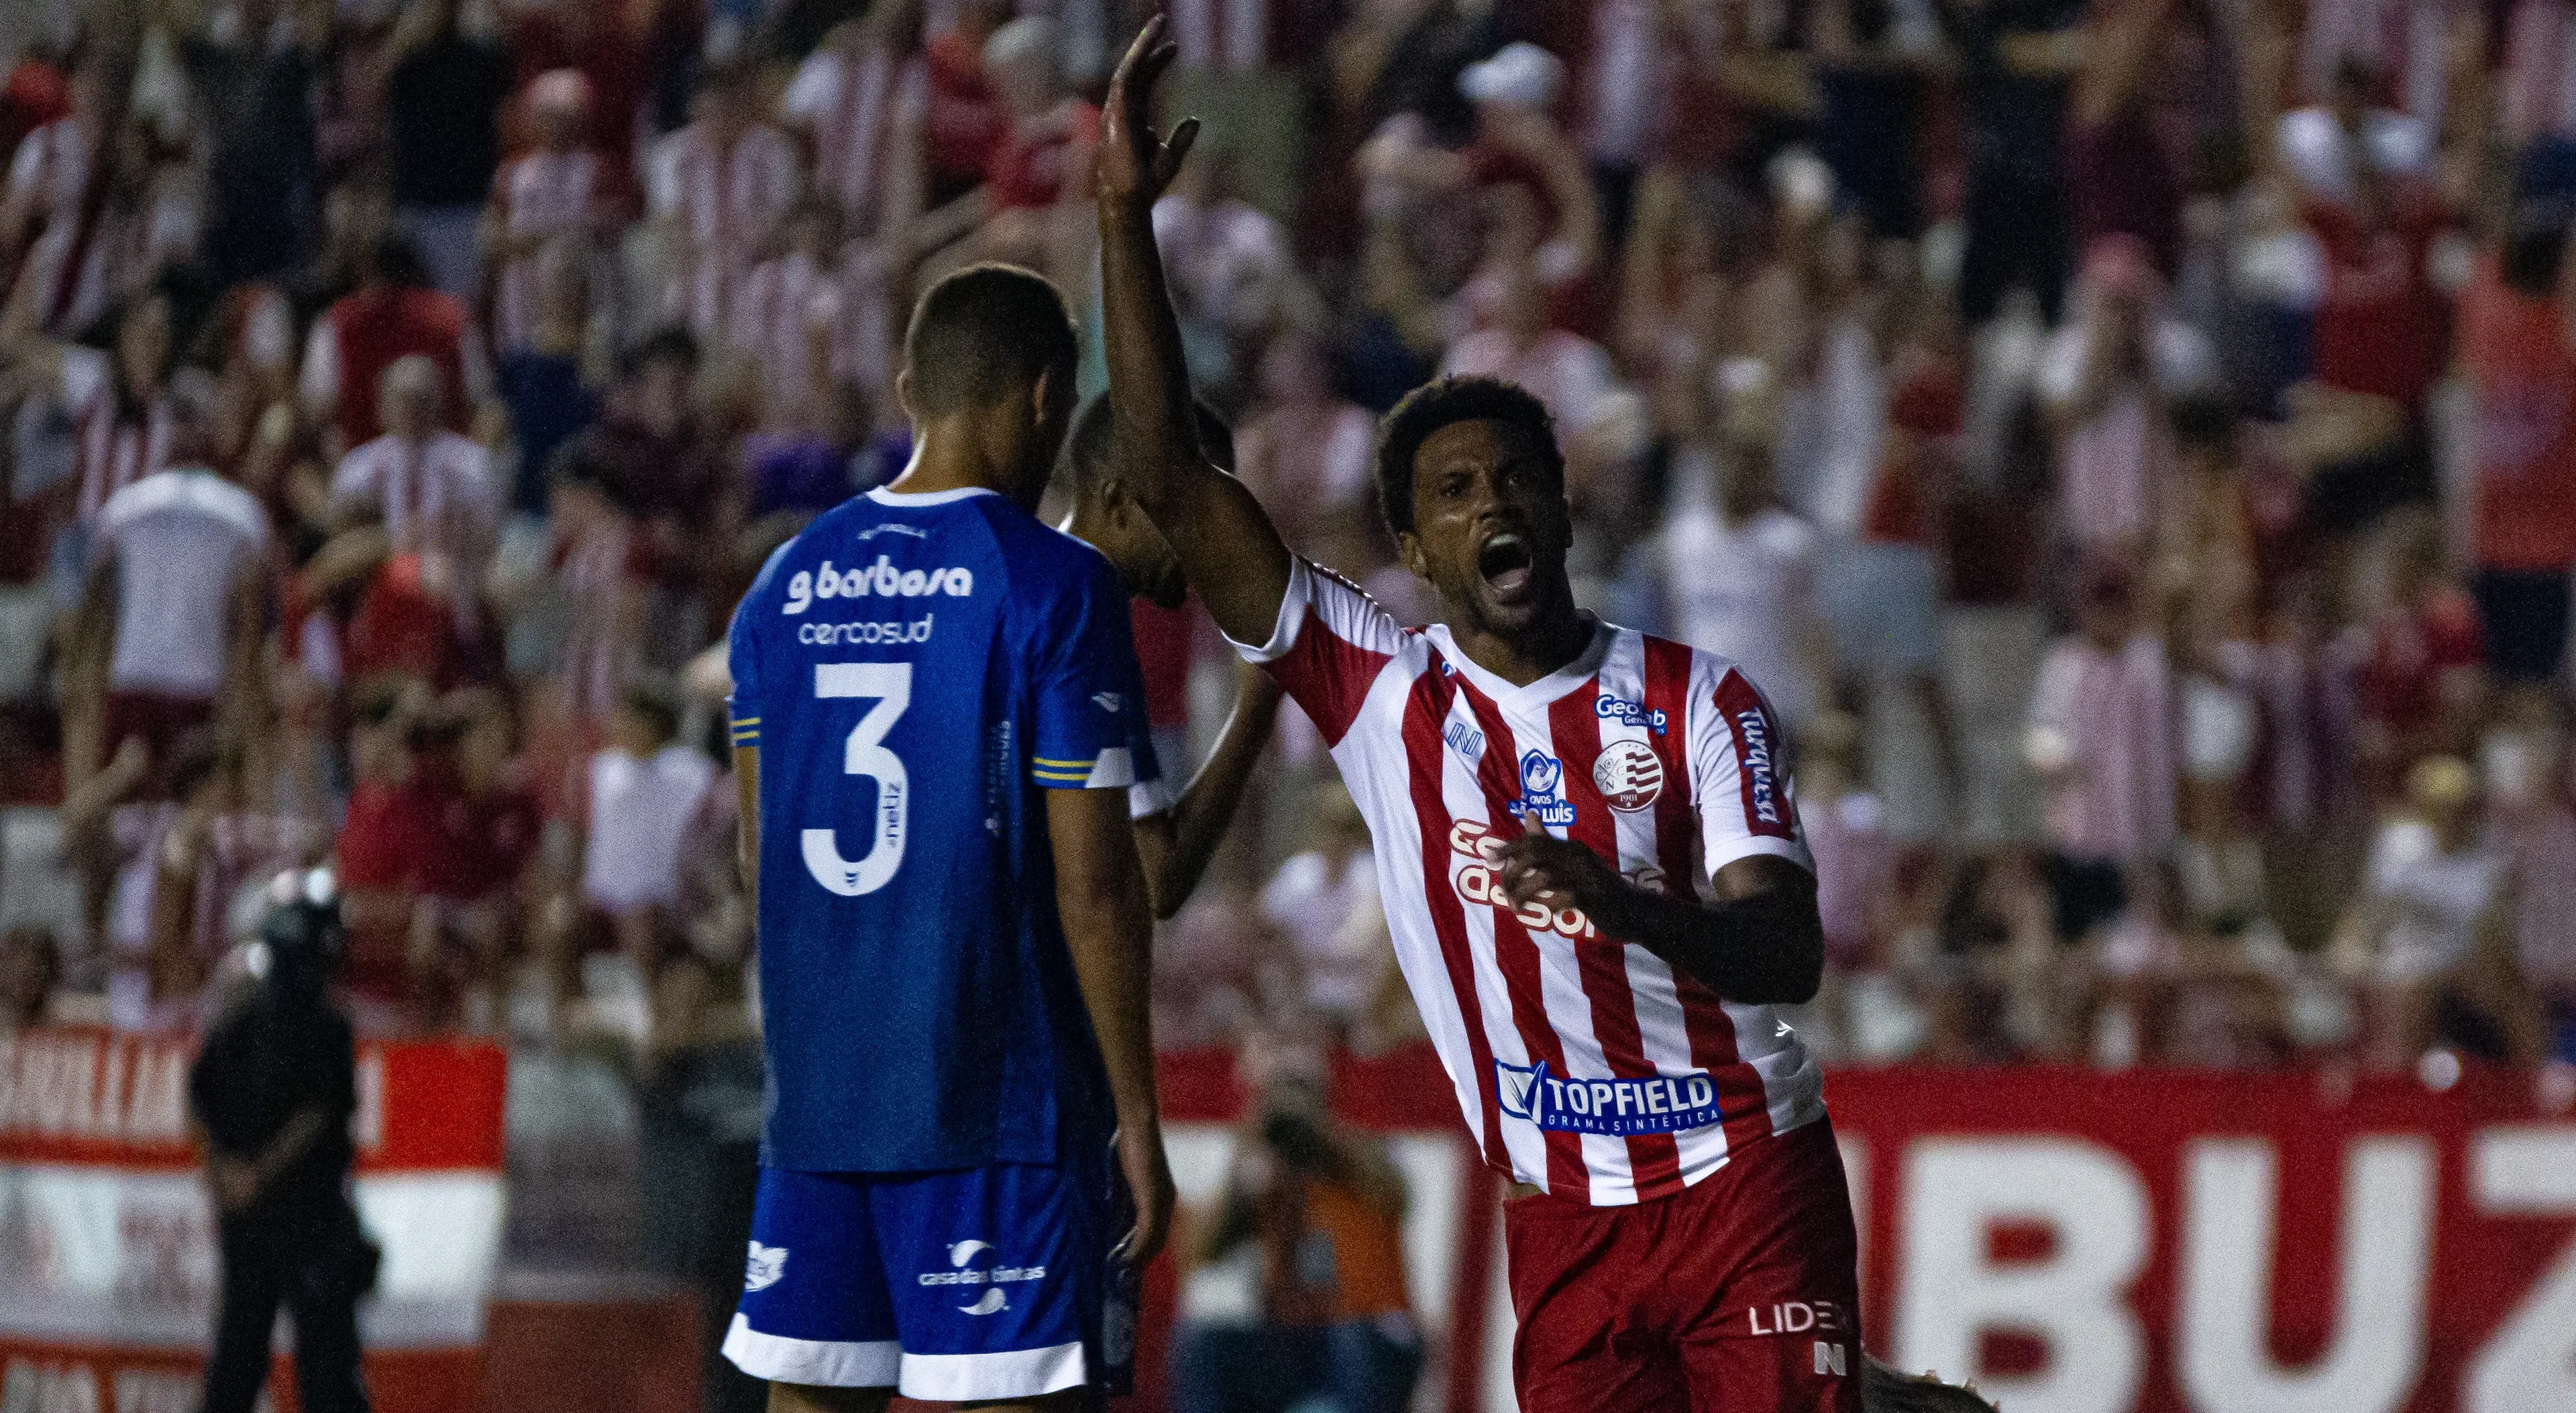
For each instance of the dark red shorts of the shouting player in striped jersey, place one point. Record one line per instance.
(1732, 1296)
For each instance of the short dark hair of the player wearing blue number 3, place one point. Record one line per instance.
(985, 334)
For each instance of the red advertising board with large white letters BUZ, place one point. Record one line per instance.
(2142, 1242)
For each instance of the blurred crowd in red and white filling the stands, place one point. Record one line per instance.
(2134, 445)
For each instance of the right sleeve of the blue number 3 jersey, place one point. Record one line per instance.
(1091, 728)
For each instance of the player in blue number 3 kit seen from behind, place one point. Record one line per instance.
(936, 726)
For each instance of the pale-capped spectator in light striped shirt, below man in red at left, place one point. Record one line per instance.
(431, 486)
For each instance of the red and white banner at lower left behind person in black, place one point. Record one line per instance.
(107, 1242)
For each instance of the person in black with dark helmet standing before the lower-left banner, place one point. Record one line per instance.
(272, 1097)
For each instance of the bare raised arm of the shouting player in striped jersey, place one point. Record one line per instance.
(1227, 545)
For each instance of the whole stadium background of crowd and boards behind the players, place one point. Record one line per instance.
(2134, 445)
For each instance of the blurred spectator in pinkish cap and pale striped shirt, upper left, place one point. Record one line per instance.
(553, 202)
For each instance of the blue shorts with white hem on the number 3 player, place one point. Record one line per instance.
(954, 1288)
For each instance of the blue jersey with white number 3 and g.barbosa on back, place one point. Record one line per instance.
(913, 669)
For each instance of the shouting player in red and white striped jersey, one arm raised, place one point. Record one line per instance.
(1591, 862)
